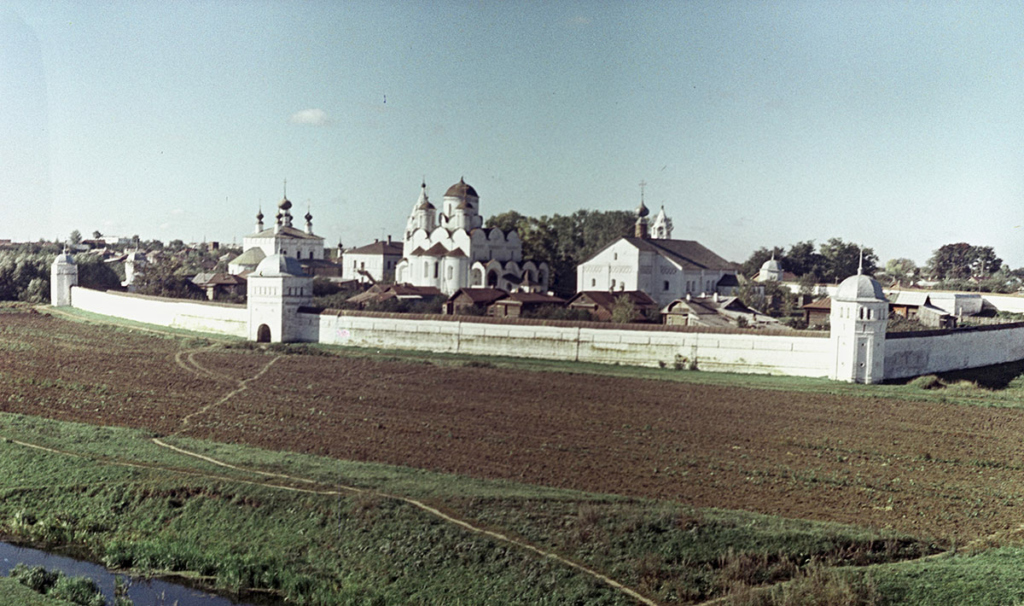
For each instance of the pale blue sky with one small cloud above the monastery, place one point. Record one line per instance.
(894, 125)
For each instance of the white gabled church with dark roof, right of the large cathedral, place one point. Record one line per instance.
(652, 262)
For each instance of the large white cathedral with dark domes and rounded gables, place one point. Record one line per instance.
(451, 249)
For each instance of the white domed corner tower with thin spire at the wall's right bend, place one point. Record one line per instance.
(860, 316)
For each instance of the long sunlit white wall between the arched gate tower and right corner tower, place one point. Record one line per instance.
(777, 355)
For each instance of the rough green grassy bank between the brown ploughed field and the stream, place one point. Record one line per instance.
(131, 504)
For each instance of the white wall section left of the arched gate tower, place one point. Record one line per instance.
(220, 319)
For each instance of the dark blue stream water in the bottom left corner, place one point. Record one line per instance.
(143, 592)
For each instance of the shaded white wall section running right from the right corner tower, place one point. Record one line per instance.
(966, 349)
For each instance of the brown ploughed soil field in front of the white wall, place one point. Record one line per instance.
(933, 470)
